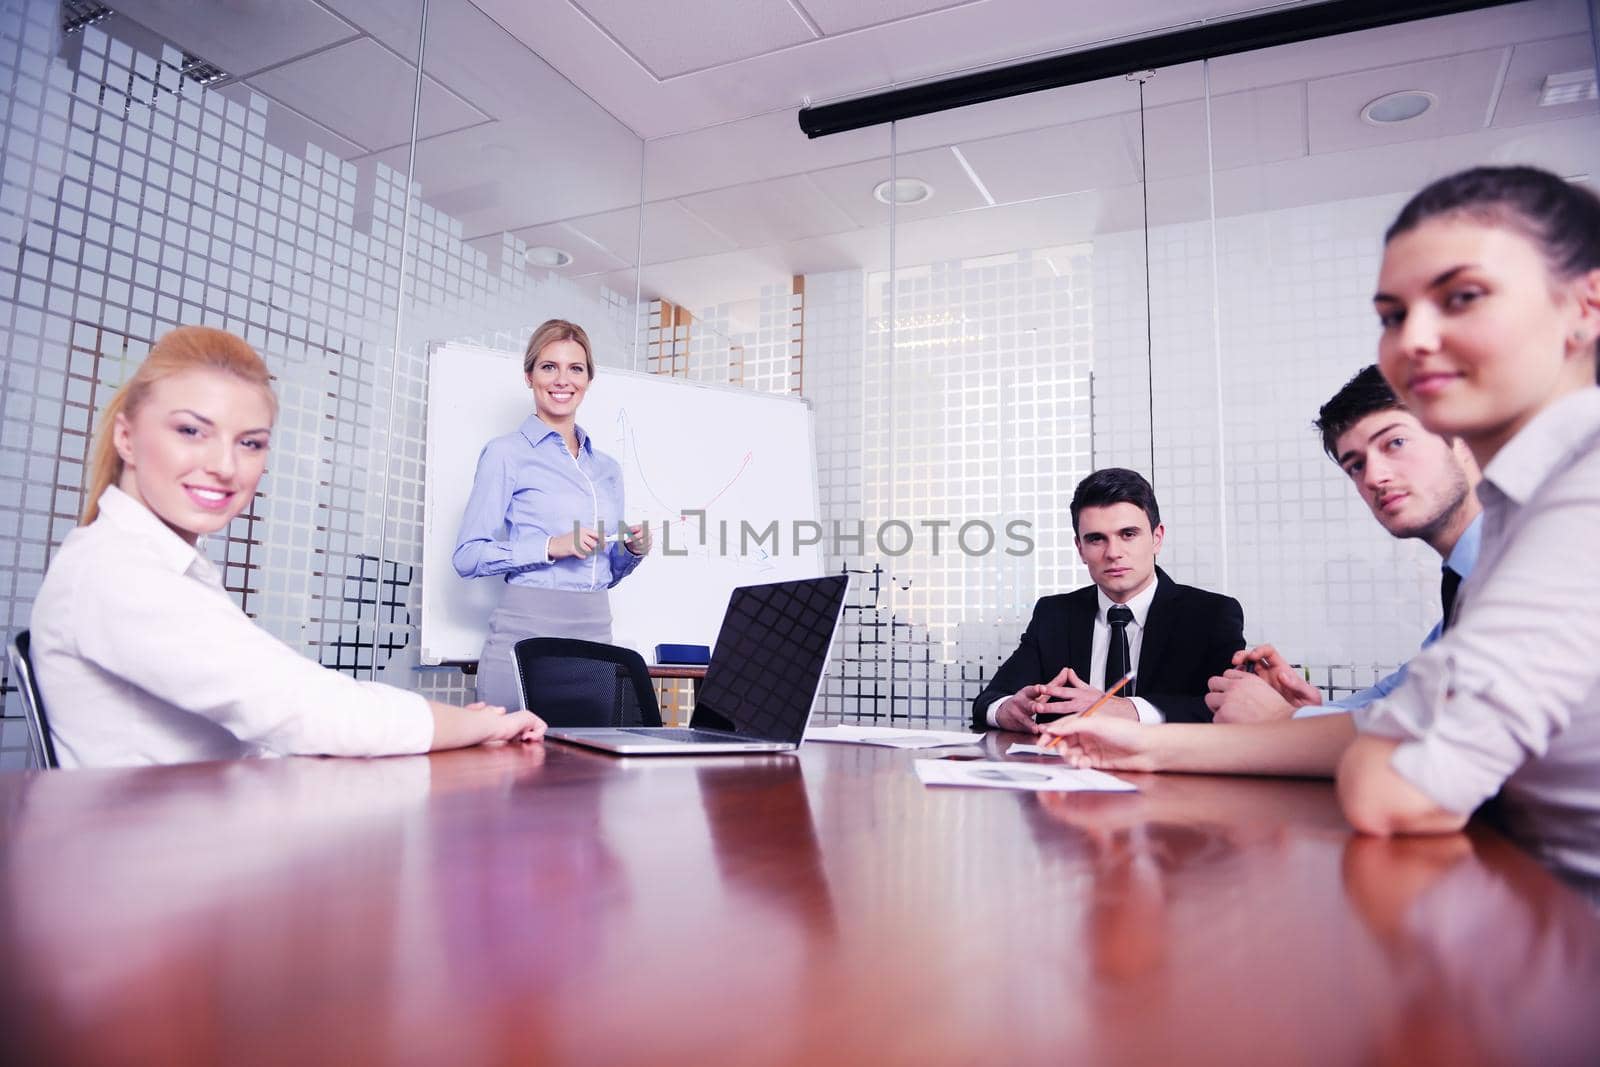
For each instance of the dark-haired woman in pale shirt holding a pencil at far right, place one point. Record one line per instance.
(1489, 302)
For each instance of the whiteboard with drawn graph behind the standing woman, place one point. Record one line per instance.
(738, 455)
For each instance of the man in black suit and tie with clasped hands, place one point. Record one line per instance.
(1134, 618)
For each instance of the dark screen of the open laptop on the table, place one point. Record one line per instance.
(770, 657)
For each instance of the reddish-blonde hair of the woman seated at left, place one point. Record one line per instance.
(183, 350)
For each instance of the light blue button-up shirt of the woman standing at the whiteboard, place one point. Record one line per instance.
(529, 489)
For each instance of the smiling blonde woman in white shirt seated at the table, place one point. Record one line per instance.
(140, 652)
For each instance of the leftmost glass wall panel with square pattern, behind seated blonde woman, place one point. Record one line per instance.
(186, 164)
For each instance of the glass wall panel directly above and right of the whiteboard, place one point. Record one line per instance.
(761, 255)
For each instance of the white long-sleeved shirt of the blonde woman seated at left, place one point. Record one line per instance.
(145, 658)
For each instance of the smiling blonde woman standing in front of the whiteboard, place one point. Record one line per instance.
(542, 500)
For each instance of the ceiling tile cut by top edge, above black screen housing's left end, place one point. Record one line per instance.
(673, 39)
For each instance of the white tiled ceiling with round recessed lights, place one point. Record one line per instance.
(537, 118)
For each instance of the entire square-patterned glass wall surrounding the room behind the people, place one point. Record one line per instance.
(1167, 271)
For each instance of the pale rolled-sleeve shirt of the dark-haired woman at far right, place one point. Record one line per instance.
(1510, 698)
